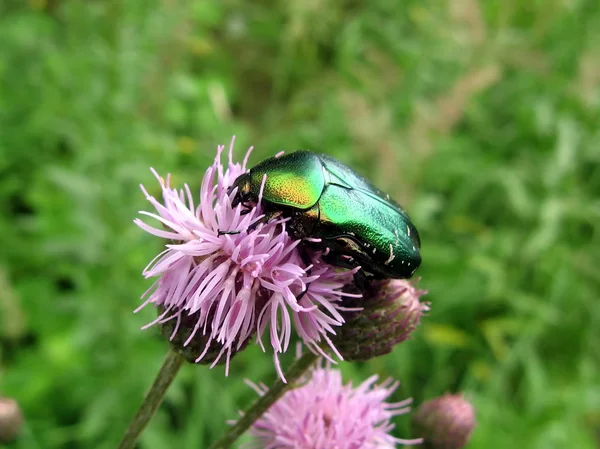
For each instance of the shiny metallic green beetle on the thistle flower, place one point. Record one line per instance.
(356, 224)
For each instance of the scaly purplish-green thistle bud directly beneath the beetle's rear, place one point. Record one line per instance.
(391, 312)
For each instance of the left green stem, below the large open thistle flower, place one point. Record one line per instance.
(153, 398)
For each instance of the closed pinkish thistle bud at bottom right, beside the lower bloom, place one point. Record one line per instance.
(445, 422)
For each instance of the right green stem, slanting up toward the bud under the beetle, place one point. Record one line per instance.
(263, 403)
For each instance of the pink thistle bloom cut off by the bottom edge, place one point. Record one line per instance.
(324, 414)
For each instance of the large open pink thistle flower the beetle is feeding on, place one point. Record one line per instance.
(235, 284)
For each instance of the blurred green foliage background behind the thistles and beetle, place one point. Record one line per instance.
(480, 116)
